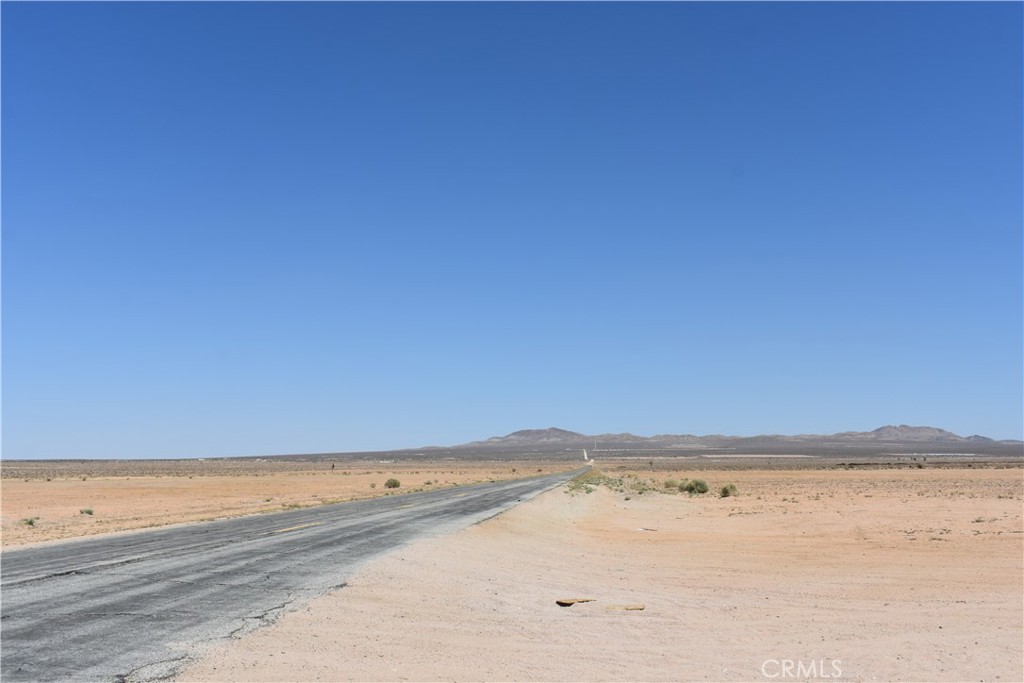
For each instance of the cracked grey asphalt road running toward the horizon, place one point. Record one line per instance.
(137, 607)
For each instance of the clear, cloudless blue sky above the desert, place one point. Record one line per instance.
(242, 229)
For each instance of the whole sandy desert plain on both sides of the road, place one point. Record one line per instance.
(906, 573)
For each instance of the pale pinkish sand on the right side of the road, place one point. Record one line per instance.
(904, 583)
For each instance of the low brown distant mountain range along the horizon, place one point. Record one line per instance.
(901, 438)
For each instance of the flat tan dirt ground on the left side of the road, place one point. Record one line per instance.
(50, 501)
